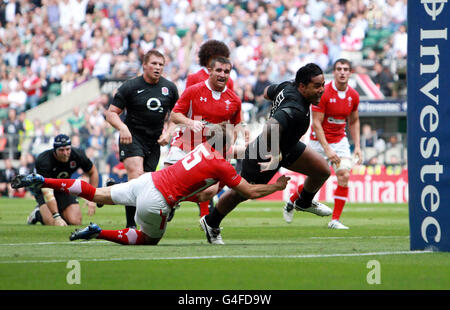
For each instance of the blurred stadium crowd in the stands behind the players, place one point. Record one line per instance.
(49, 47)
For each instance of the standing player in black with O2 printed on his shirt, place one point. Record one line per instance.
(148, 100)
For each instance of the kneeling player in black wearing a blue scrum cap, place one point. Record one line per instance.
(57, 208)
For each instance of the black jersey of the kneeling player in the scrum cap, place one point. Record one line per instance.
(47, 165)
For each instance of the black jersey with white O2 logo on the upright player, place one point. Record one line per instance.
(146, 104)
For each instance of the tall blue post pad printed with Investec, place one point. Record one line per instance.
(428, 119)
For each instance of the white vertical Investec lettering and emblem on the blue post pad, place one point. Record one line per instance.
(431, 169)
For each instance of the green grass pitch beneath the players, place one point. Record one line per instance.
(262, 252)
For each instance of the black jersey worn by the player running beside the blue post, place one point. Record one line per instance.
(291, 110)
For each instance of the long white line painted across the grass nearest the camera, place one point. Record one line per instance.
(218, 257)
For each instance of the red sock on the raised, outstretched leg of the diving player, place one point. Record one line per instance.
(72, 186)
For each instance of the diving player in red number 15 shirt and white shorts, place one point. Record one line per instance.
(155, 193)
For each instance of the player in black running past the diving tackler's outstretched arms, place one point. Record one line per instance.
(278, 146)
